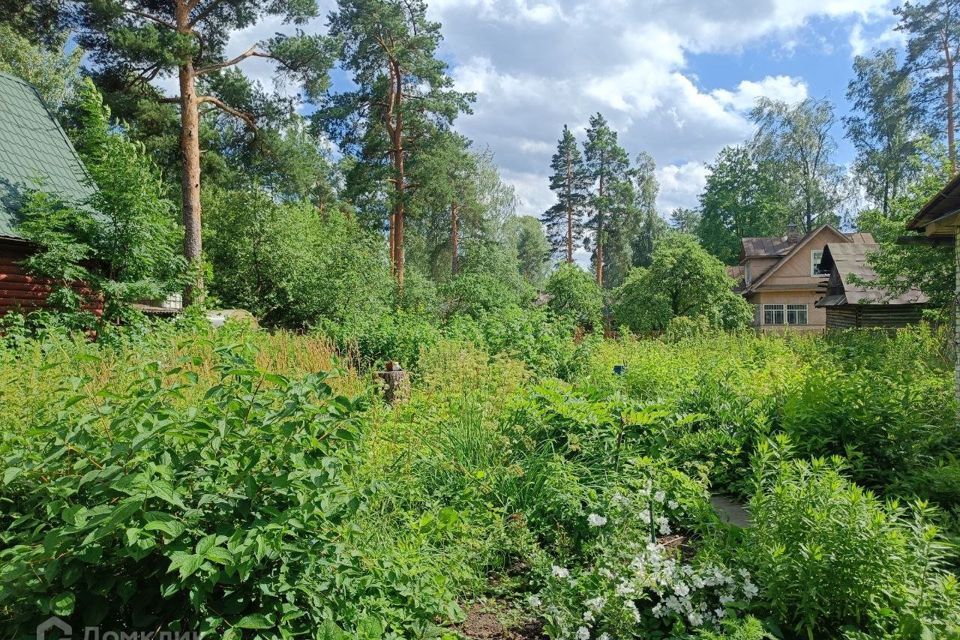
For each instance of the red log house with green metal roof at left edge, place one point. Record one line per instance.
(35, 153)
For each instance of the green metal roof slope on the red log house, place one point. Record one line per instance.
(35, 153)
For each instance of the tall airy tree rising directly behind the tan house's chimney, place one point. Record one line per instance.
(795, 140)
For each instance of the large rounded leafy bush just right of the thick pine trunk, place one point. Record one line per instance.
(291, 266)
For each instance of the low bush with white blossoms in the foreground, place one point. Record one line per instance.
(639, 581)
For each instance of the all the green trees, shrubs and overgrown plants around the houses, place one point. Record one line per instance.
(554, 462)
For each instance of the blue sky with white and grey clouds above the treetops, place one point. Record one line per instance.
(675, 78)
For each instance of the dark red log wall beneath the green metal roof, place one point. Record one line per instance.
(20, 291)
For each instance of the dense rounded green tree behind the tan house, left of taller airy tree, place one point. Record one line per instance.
(742, 198)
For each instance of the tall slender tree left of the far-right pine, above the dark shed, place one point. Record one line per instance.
(884, 127)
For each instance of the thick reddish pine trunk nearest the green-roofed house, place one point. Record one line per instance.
(190, 173)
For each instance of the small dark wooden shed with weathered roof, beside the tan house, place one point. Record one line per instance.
(852, 302)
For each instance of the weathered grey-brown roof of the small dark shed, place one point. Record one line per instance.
(849, 262)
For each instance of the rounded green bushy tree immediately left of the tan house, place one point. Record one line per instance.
(683, 280)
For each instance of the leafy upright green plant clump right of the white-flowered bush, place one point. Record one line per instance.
(831, 556)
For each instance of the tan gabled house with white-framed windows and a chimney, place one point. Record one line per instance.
(782, 277)
